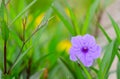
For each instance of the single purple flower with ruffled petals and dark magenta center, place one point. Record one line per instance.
(85, 49)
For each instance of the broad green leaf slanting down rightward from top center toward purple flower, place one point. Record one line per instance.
(64, 18)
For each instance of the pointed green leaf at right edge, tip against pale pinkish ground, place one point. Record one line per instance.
(116, 27)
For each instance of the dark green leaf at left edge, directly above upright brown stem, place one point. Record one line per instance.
(4, 30)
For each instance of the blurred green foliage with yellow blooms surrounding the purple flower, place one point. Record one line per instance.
(35, 39)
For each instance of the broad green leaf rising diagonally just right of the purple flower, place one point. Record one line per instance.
(106, 61)
